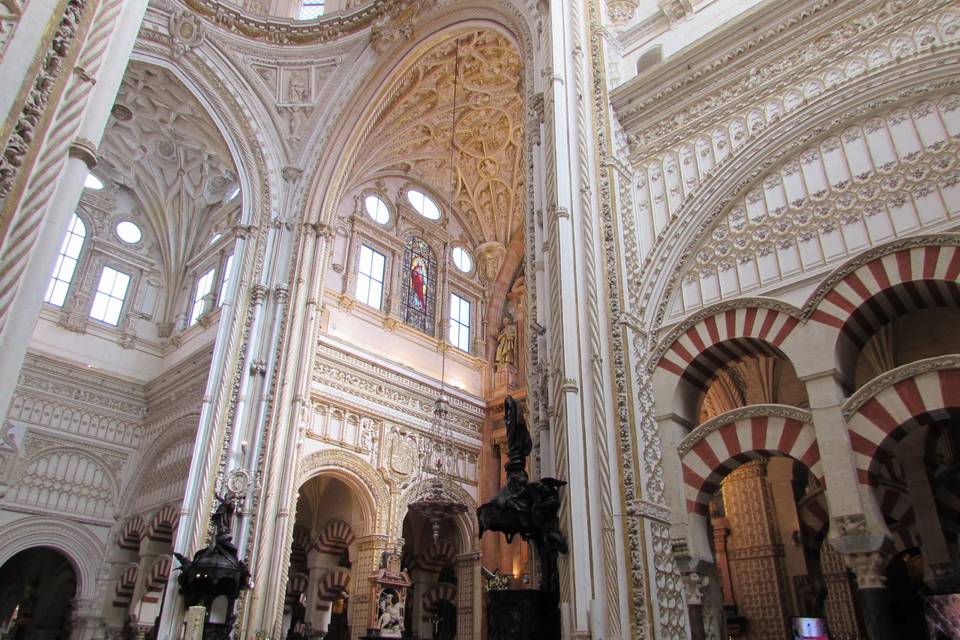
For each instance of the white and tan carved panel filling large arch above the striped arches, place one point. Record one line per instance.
(874, 181)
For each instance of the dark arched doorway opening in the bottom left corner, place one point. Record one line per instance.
(37, 587)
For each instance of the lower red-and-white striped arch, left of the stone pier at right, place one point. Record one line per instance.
(725, 447)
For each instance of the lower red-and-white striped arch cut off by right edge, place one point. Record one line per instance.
(896, 410)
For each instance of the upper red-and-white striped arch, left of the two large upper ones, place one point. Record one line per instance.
(716, 340)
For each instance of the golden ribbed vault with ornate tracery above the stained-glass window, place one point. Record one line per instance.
(412, 134)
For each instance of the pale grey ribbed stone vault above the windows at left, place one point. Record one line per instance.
(162, 145)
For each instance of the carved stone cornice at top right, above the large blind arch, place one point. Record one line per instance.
(705, 83)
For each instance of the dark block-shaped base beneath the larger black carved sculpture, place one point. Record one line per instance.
(522, 615)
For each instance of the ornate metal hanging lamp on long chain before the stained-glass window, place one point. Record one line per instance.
(435, 499)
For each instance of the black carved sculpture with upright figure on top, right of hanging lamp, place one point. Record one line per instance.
(524, 508)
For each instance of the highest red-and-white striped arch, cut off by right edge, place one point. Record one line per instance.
(928, 275)
